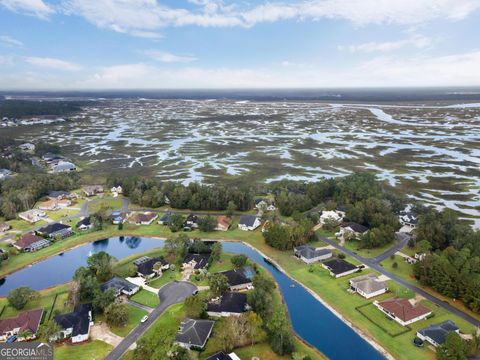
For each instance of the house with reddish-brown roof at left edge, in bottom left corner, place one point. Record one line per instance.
(24, 322)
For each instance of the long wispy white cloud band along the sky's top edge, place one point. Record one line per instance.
(146, 16)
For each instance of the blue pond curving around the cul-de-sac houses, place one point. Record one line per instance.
(311, 320)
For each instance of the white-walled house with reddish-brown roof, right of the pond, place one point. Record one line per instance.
(403, 311)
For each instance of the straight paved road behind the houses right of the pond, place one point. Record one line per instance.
(372, 263)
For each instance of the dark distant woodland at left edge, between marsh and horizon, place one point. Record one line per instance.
(21, 108)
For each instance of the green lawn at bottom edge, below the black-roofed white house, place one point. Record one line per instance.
(93, 350)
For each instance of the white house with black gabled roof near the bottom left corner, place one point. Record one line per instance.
(75, 325)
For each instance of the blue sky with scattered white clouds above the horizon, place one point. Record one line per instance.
(175, 44)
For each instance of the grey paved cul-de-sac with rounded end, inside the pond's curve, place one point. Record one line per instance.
(170, 294)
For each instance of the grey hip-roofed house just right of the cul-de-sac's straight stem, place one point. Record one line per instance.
(194, 333)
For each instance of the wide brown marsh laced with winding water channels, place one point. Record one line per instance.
(428, 150)
